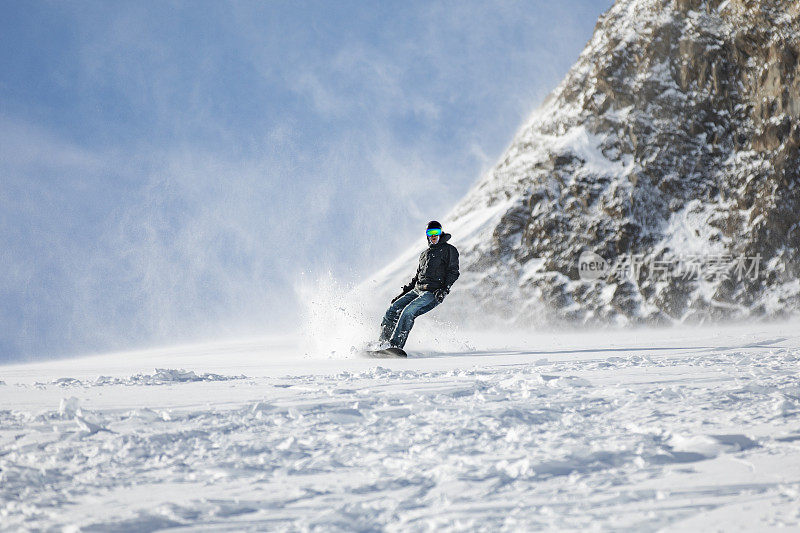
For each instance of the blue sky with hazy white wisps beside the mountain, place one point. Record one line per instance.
(168, 169)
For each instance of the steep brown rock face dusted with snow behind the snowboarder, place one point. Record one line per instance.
(675, 136)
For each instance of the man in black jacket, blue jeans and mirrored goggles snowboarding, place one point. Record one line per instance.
(437, 271)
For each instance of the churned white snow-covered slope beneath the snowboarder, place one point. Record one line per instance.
(675, 429)
